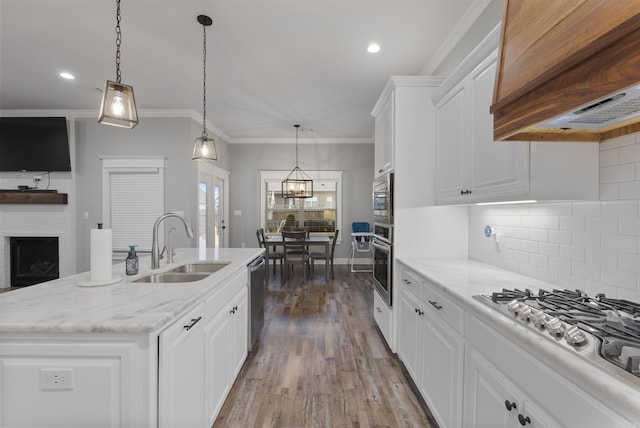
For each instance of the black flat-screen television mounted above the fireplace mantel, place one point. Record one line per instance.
(37, 144)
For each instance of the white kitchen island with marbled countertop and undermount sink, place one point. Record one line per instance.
(128, 354)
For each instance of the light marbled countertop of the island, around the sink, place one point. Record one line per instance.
(62, 306)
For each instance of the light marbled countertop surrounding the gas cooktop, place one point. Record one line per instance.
(462, 279)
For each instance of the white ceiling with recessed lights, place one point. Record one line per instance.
(270, 63)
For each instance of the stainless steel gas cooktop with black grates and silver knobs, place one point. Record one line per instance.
(602, 330)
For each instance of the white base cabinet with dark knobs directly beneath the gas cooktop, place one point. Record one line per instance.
(506, 386)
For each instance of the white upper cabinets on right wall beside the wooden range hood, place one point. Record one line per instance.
(471, 167)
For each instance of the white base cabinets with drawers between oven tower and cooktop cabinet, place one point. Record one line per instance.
(431, 346)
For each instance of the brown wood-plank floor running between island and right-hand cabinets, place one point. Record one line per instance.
(321, 362)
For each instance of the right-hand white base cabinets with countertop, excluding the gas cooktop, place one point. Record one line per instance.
(477, 366)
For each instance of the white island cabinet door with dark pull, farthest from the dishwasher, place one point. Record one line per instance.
(181, 386)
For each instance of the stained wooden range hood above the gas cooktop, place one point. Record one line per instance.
(557, 55)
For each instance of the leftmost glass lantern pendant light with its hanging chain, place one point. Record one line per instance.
(118, 107)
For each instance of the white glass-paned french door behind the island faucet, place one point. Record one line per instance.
(213, 189)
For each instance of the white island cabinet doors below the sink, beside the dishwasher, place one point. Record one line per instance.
(225, 332)
